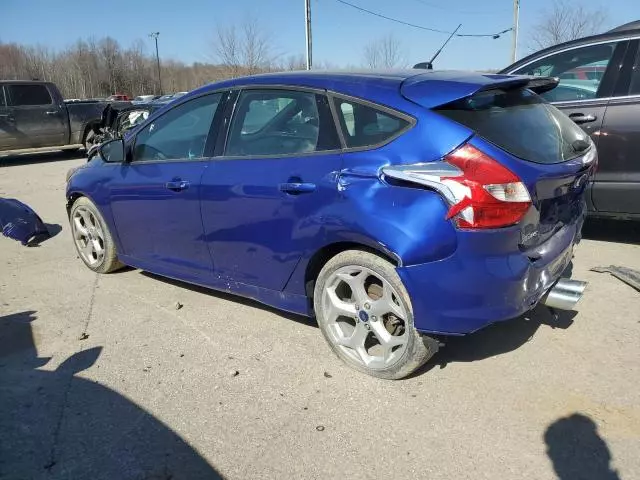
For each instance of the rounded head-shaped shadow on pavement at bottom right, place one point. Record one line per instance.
(577, 451)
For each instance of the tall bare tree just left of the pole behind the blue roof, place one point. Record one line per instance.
(244, 50)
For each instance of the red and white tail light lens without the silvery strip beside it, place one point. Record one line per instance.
(494, 197)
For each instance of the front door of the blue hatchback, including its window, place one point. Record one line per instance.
(155, 199)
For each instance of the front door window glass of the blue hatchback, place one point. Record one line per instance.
(180, 133)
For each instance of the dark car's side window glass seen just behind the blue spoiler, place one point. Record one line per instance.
(580, 71)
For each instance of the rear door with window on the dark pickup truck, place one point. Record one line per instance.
(39, 121)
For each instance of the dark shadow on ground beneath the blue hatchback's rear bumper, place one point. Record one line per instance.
(497, 339)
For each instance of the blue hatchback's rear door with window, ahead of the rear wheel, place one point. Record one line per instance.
(263, 199)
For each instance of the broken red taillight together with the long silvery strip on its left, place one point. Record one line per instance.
(480, 191)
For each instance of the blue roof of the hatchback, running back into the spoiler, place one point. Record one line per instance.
(381, 86)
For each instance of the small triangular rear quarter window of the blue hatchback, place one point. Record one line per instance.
(364, 126)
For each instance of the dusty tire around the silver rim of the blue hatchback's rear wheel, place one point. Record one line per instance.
(419, 349)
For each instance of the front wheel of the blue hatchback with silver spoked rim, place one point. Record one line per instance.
(92, 238)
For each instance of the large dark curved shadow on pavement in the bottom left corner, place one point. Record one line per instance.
(56, 424)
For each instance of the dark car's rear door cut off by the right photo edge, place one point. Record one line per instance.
(617, 181)
